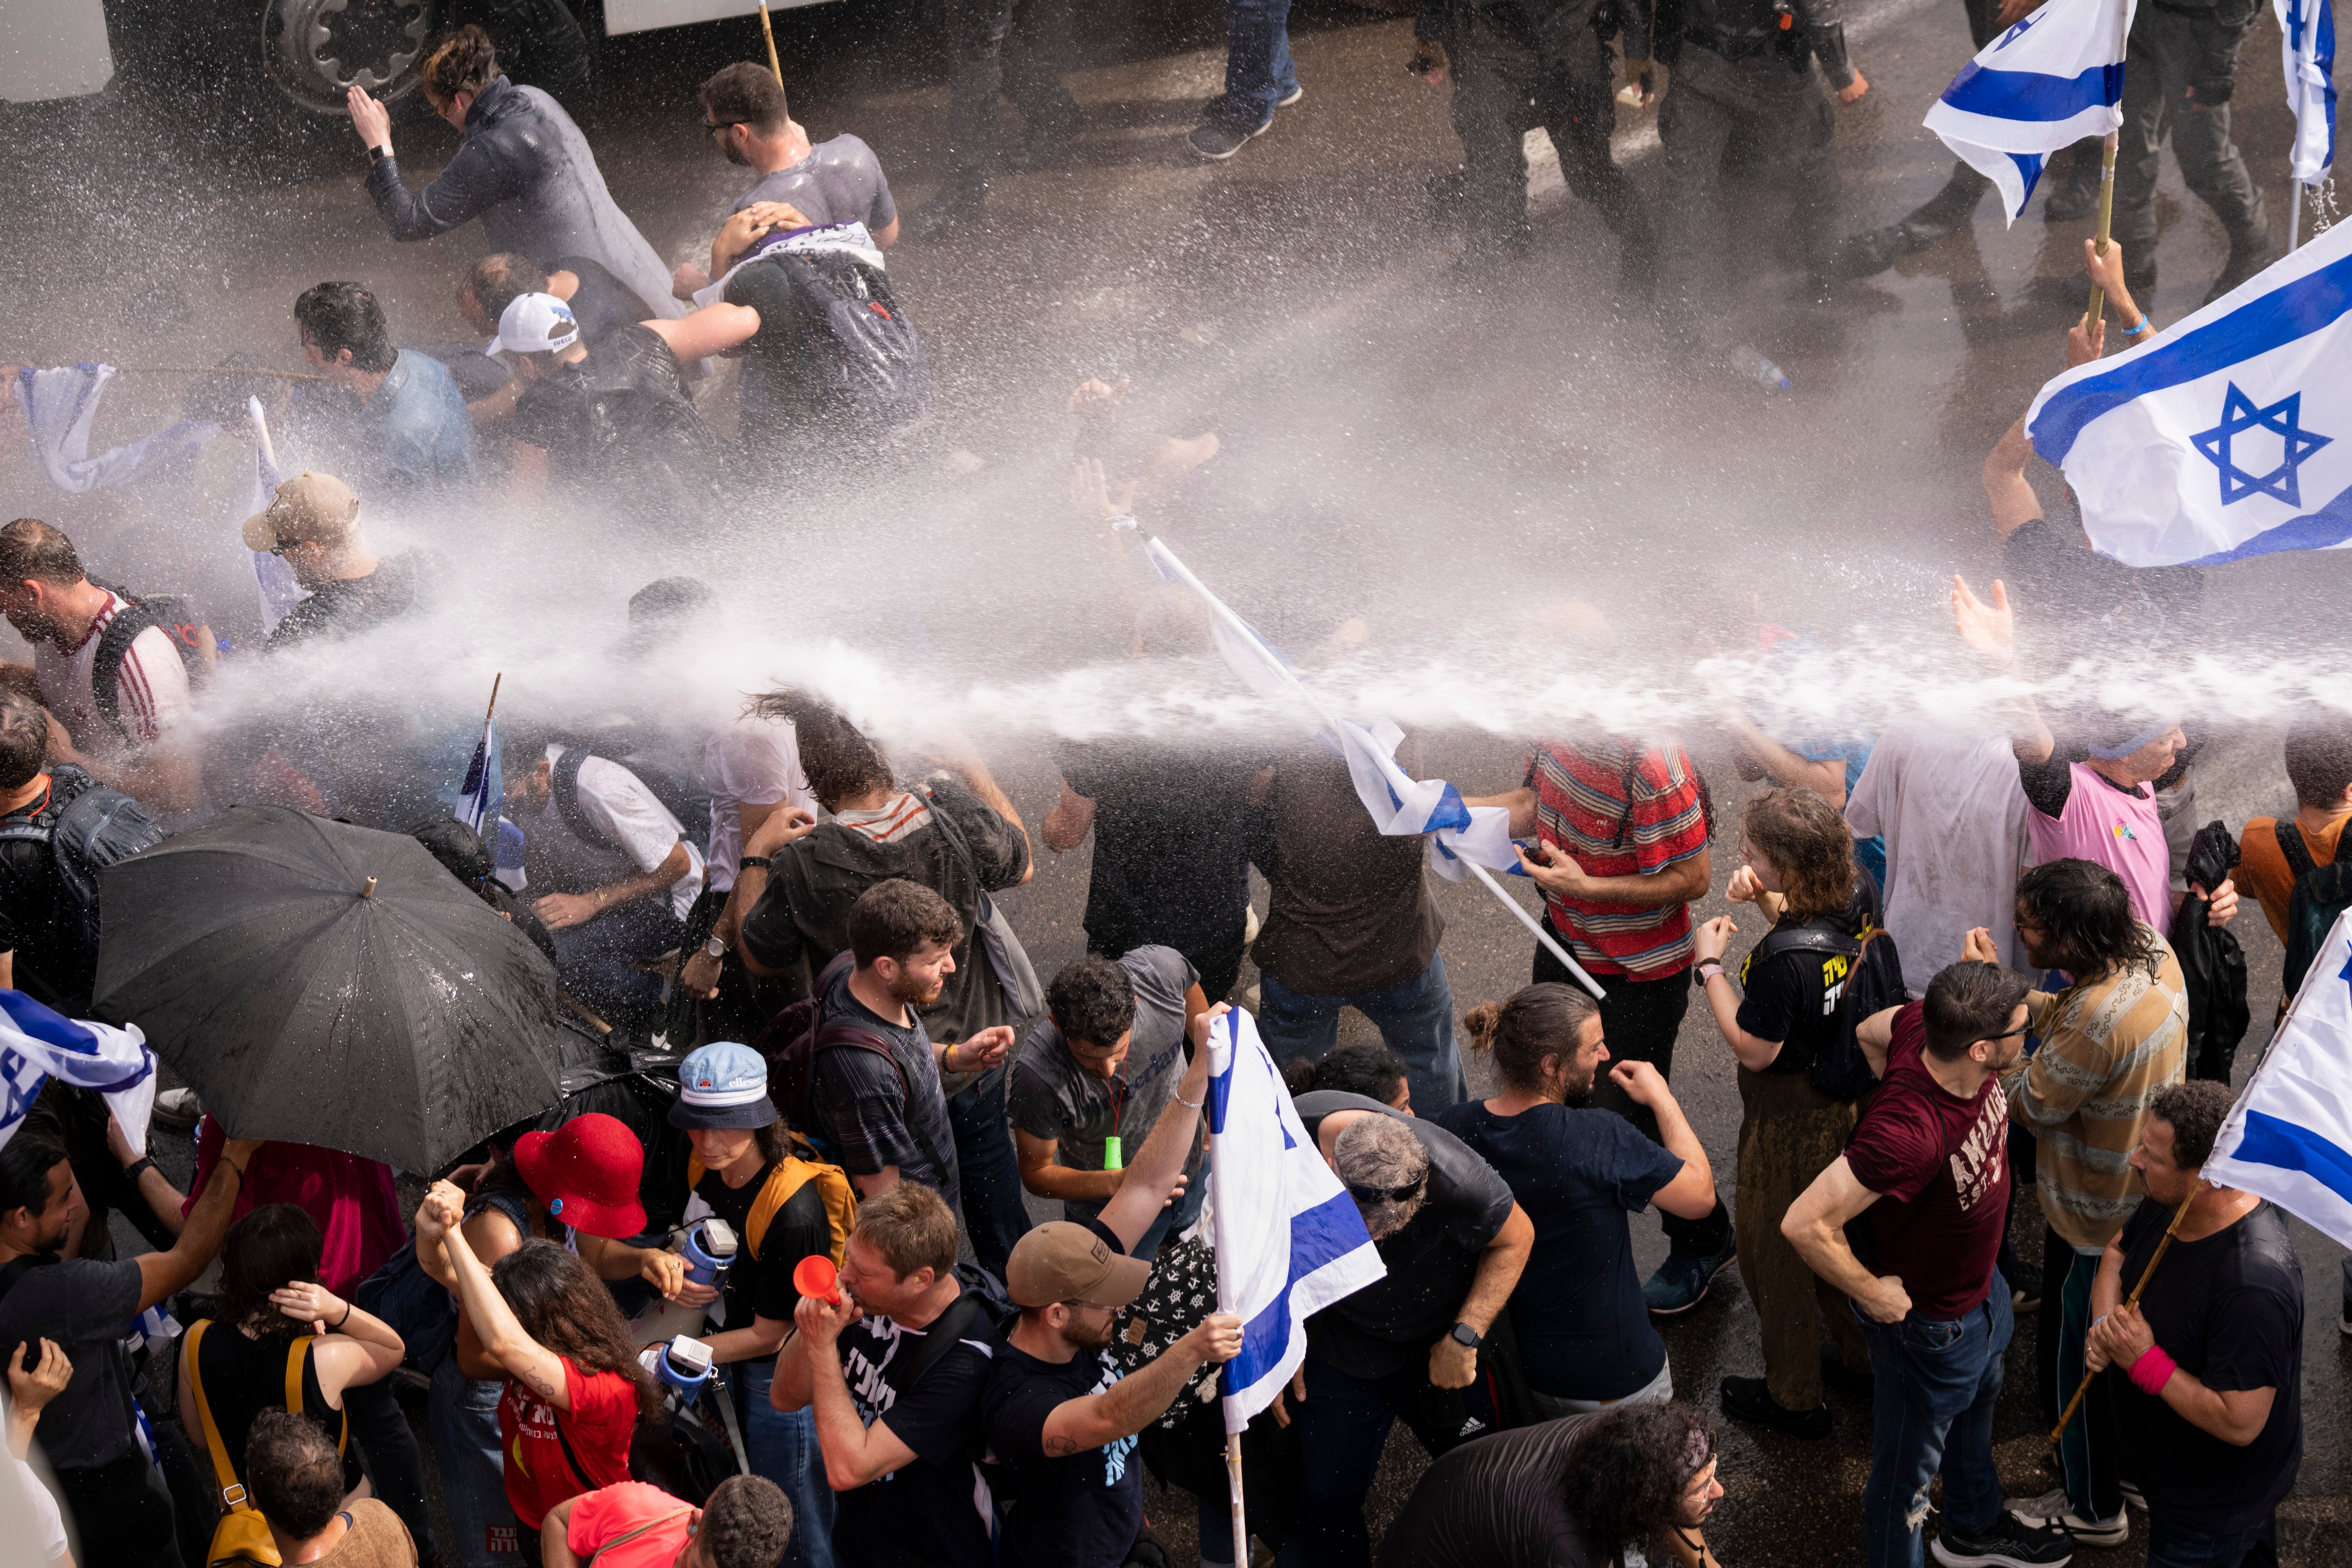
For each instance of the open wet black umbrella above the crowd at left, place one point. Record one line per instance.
(328, 984)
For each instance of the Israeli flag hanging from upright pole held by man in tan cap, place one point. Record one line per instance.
(1290, 1240)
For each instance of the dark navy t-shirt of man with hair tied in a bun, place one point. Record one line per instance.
(1577, 1313)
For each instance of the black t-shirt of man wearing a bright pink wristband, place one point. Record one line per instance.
(2231, 1313)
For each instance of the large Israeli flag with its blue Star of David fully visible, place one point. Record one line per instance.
(2224, 438)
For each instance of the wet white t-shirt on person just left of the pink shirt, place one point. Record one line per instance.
(1953, 812)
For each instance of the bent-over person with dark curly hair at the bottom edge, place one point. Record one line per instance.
(1582, 1492)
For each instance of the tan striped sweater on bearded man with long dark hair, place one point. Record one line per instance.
(2109, 1047)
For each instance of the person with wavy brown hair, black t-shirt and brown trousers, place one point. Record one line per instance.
(1800, 873)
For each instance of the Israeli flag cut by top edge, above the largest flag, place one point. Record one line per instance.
(2043, 86)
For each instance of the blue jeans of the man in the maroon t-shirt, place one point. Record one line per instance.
(1932, 1412)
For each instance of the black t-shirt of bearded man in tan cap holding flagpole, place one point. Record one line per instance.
(1074, 1513)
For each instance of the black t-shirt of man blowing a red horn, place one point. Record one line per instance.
(933, 1513)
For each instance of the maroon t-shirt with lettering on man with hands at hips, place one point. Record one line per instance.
(1942, 1172)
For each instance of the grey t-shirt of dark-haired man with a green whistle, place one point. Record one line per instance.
(1057, 1099)
